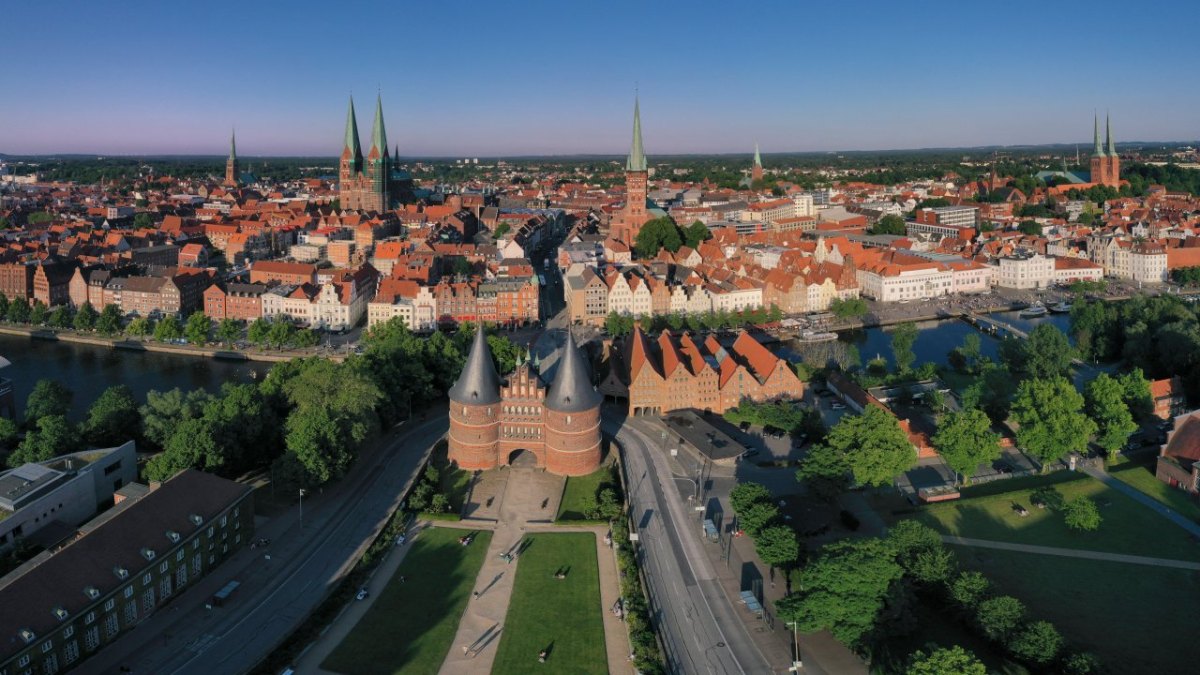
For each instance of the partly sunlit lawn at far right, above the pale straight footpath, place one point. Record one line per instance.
(1127, 528)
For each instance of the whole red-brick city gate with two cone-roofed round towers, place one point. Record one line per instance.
(494, 423)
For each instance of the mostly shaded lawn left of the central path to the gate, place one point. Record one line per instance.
(411, 626)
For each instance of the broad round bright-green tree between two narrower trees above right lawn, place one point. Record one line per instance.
(1051, 415)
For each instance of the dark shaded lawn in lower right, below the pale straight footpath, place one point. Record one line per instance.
(1137, 619)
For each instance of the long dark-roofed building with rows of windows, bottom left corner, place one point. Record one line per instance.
(119, 571)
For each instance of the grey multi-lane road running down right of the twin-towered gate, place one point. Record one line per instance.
(699, 628)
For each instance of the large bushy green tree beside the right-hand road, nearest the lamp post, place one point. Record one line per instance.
(843, 590)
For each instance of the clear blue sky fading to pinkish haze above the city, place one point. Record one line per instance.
(479, 80)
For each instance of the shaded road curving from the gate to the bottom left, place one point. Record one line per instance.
(277, 595)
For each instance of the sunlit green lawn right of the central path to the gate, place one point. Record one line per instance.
(559, 616)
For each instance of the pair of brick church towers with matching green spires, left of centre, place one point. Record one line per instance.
(365, 183)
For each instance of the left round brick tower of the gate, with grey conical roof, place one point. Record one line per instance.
(475, 410)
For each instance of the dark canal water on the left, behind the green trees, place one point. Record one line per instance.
(88, 371)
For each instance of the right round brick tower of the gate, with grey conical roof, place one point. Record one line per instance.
(573, 417)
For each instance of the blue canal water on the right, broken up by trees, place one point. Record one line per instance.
(935, 339)
